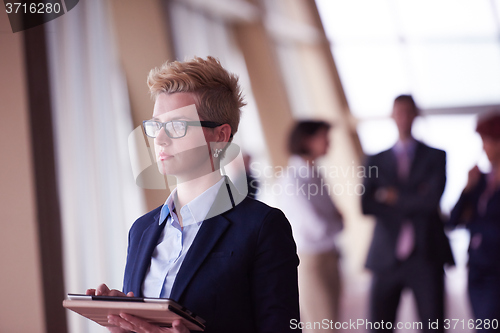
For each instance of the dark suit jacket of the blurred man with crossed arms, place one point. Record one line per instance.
(418, 202)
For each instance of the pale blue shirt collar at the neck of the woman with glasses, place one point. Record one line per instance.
(194, 211)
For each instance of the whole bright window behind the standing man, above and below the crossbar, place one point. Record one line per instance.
(446, 53)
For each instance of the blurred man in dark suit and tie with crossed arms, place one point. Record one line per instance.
(409, 246)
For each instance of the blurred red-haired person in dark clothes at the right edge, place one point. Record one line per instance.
(479, 209)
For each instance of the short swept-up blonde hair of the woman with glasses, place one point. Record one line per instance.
(217, 92)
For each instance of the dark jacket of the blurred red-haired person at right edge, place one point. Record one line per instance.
(487, 226)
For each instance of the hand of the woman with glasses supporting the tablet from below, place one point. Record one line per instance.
(127, 322)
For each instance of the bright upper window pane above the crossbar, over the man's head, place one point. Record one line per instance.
(445, 52)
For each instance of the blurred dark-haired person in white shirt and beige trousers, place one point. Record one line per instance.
(315, 223)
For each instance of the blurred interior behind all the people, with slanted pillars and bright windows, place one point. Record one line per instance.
(74, 89)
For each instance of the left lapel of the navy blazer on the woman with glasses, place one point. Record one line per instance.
(148, 243)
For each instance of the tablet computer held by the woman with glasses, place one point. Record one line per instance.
(158, 311)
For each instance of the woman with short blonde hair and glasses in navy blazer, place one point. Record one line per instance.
(228, 258)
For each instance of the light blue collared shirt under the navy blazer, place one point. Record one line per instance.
(175, 241)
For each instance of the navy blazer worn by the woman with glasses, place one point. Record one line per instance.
(240, 273)
